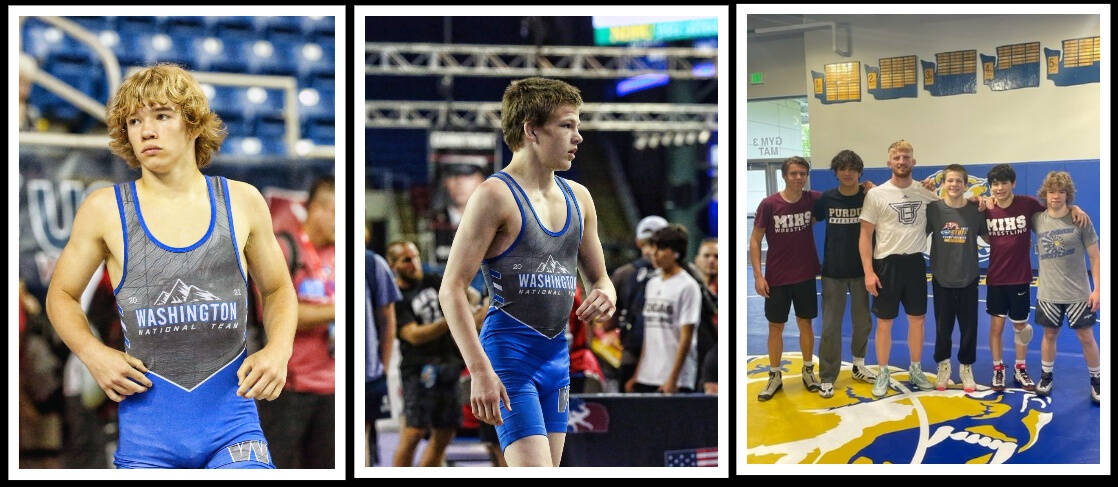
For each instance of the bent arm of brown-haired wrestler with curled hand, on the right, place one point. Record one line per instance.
(602, 301)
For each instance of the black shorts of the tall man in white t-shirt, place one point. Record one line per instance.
(904, 280)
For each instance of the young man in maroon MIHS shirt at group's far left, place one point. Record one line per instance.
(791, 266)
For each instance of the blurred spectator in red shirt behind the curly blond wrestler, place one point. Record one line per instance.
(300, 425)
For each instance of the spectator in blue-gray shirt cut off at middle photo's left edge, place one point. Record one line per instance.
(381, 293)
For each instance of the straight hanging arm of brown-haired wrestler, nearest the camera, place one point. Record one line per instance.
(485, 214)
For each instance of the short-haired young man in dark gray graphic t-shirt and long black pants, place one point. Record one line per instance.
(955, 226)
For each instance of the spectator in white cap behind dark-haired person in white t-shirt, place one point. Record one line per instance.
(630, 282)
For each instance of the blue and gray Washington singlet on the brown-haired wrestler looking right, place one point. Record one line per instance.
(533, 288)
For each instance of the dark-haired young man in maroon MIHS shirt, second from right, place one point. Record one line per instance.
(1009, 219)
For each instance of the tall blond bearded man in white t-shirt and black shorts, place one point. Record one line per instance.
(896, 273)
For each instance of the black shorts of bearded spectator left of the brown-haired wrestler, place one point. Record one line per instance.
(431, 396)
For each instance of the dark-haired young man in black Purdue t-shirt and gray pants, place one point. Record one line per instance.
(842, 272)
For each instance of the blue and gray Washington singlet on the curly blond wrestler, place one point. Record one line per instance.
(184, 312)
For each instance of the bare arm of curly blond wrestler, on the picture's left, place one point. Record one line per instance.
(118, 374)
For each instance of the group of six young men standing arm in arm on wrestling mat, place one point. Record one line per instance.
(875, 244)
